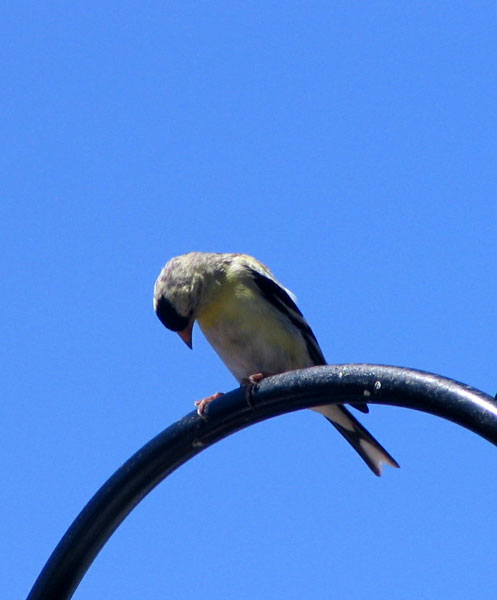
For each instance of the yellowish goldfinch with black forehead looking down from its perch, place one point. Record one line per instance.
(253, 323)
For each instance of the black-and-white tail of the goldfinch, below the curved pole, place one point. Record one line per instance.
(373, 453)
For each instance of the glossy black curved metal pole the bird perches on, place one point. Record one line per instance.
(235, 410)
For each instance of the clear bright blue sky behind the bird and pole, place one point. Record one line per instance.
(351, 147)
